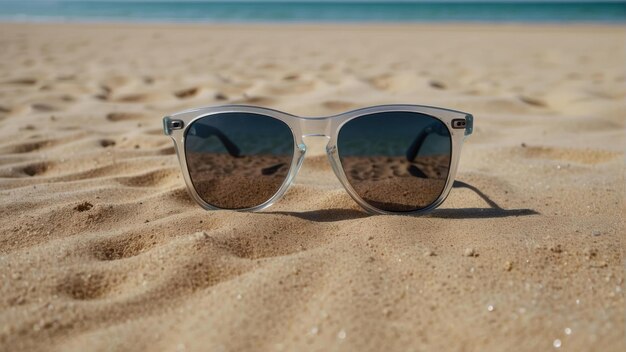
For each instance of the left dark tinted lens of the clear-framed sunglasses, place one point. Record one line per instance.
(238, 160)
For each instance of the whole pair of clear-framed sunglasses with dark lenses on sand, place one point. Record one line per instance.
(390, 158)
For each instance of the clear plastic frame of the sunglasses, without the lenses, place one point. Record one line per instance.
(459, 125)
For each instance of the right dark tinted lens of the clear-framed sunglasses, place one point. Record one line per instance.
(396, 161)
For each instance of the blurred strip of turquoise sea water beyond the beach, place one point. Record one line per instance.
(311, 11)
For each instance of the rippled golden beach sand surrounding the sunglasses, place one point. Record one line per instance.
(101, 248)
